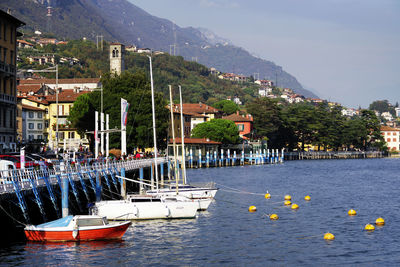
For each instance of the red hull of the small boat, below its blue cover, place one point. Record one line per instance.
(81, 234)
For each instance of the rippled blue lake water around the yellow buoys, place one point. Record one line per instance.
(228, 235)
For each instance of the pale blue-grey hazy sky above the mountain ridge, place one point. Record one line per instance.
(345, 51)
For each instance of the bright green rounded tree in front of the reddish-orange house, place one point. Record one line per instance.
(219, 130)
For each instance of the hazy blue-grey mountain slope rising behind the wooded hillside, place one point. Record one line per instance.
(122, 21)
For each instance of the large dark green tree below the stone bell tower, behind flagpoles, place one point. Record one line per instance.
(135, 89)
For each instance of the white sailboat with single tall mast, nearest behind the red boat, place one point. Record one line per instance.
(144, 207)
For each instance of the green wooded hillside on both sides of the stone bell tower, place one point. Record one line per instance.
(198, 84)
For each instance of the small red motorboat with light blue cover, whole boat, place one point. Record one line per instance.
(76, 228)
